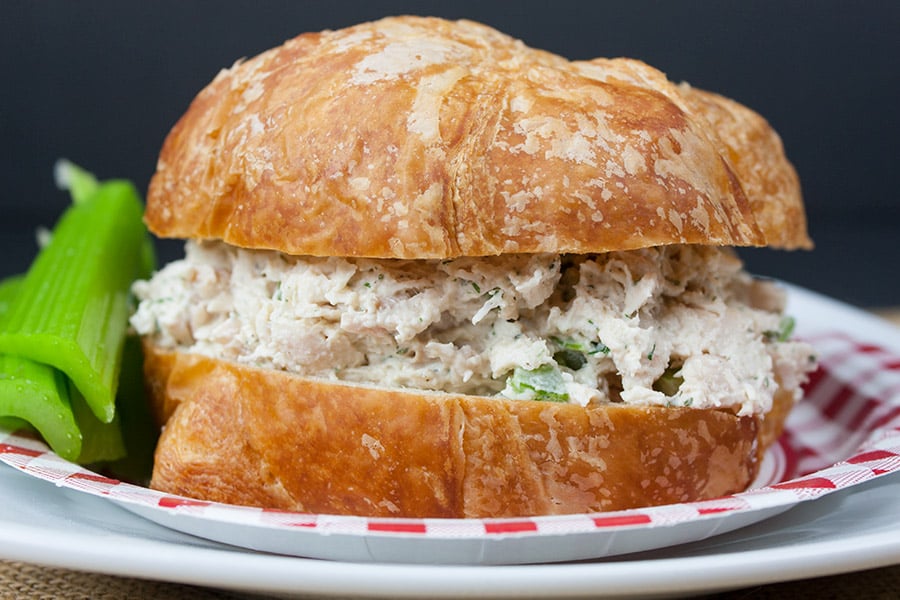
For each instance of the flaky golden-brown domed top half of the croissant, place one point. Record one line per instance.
(424, 138)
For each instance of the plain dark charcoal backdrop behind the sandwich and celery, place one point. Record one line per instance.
(102, 82)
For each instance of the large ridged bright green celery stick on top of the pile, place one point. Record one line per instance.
(72, 309)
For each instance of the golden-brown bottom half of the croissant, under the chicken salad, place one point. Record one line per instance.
(258, 437)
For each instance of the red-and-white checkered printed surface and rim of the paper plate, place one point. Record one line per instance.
(846, 431)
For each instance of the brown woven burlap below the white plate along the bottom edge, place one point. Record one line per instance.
(20, 580)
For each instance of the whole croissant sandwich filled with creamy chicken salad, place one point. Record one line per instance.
(433, 272)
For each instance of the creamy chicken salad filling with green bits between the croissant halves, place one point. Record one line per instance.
(676, 325)
